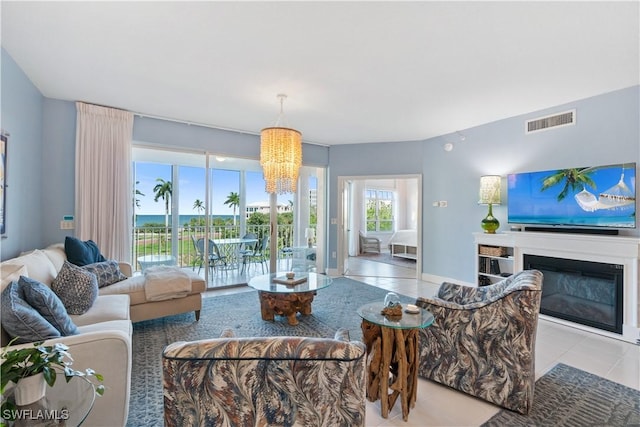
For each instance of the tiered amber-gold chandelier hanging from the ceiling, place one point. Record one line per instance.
(280, 155)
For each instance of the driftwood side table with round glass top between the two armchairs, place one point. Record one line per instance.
(392, 356)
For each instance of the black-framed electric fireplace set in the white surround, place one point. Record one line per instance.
(589, 293)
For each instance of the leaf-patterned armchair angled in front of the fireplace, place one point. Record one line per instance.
(482, 341)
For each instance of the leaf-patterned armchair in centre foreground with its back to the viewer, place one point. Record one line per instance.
(264, 381)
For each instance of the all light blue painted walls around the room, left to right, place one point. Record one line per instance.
(606, 131)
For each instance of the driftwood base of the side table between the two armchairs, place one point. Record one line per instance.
(392, 363)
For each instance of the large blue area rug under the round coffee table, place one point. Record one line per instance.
(334, 307)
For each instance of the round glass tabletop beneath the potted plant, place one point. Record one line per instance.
(66, 403)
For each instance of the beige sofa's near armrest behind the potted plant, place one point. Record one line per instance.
(108, 352)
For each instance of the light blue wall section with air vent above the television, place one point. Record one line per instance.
(606, 132)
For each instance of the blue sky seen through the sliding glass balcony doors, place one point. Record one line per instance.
(192, 187)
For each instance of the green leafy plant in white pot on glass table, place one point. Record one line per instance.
(39, 365)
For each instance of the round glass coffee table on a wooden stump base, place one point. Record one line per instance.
(287, 300)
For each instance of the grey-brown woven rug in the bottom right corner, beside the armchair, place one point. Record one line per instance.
(566, 396)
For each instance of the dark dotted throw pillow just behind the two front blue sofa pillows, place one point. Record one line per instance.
(77, 288)
